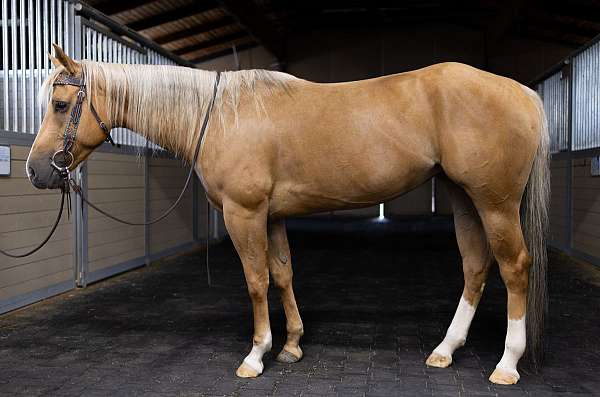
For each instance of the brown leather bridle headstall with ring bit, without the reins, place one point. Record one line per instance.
(70, 133)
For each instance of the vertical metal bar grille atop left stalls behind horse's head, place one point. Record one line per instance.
(29, 27)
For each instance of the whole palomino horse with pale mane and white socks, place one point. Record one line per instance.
(279, 146)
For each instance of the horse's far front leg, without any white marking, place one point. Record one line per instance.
(280, 266)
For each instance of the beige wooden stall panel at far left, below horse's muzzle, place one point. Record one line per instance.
(26, 215)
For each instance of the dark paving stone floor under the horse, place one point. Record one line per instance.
(373, 304)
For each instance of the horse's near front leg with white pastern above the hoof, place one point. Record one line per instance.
(248, 230)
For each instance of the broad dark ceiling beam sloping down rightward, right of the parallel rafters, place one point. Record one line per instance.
(261, 28)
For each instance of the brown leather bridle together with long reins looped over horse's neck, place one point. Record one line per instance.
(63, 159)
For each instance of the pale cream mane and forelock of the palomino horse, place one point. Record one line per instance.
(167, 103)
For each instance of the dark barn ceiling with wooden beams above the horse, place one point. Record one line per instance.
(198, 30)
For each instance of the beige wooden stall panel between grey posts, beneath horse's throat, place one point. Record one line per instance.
(115, 184)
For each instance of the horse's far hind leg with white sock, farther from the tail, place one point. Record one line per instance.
(473, 246)
